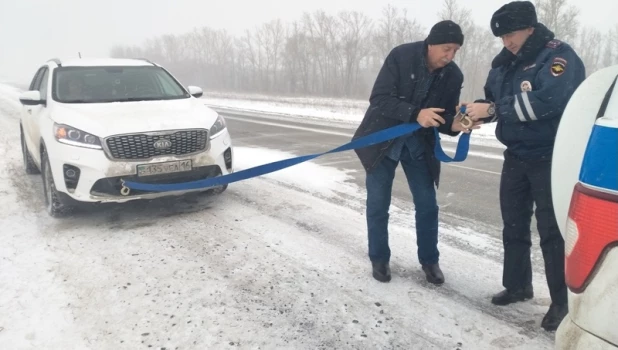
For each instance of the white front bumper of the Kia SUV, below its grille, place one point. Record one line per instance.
(99, 177)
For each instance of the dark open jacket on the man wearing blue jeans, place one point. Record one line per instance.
(390, 102)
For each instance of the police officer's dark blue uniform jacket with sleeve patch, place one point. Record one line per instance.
(531, 90)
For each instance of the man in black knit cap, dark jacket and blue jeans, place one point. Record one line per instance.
(417, 82)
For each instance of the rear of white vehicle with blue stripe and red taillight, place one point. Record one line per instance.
(585, 195)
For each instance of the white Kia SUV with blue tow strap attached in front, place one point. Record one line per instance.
(88, 123)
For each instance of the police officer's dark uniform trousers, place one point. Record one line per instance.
(522, 184)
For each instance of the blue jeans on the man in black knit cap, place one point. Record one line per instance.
(379, 184)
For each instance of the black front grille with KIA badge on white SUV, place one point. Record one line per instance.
(142, 146)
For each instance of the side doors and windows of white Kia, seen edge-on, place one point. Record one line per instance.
(34, 114)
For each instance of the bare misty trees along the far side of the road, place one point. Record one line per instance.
(339, 55)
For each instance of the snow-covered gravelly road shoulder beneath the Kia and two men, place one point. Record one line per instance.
(273, 262)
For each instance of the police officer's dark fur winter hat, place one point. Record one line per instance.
(513, 16)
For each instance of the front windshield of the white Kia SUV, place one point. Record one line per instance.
(114, 84)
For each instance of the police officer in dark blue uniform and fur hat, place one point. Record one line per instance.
(527, 90)
